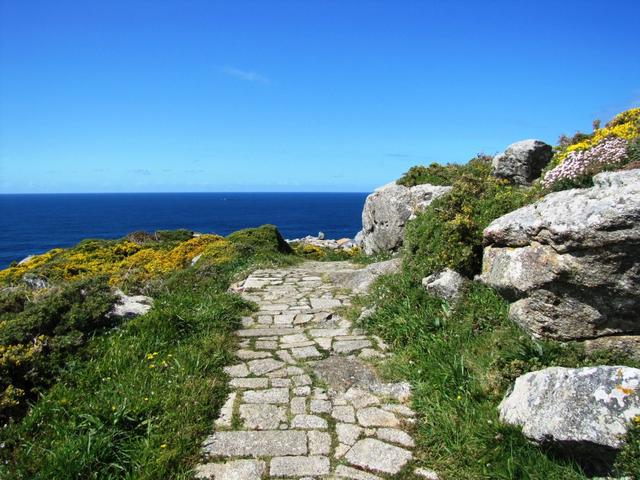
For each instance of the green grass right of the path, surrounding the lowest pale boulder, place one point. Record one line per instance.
(461, 362)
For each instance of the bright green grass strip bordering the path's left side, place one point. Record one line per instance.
(138, 401)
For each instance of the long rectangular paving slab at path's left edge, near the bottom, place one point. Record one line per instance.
(256, 443)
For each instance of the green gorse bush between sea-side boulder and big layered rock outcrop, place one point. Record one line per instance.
(448, 234)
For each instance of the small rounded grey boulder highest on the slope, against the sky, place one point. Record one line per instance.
(522, 162)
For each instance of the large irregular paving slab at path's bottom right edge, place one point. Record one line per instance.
(378, 456)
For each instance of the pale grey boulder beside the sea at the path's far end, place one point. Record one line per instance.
(387, 210)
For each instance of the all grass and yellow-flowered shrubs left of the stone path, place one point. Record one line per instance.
(123, 399)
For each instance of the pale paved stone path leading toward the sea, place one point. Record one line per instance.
(305, 403)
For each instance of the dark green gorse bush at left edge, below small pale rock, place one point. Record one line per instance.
(37, 337)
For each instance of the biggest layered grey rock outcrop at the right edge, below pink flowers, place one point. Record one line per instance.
(571, 261)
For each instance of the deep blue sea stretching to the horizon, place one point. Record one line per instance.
(36, 223)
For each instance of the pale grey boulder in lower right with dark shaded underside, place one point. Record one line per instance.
(584, 412)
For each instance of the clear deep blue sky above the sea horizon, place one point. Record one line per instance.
(110, 96)
